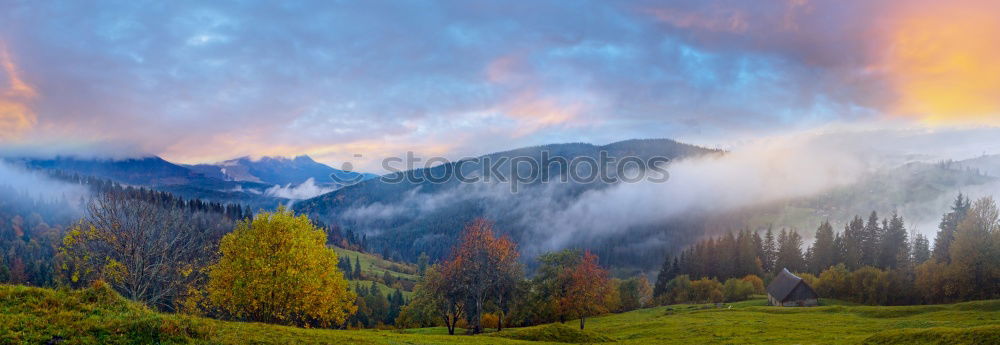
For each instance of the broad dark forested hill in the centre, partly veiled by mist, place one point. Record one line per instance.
(407, 218)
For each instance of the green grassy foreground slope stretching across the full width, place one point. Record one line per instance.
(98, 316)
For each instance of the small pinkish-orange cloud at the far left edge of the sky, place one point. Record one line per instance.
(15, 114)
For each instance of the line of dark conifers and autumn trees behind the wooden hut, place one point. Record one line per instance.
(871, 261)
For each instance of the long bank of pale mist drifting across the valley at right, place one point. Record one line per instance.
(765, 171)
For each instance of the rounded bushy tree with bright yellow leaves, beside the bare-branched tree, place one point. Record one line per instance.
(276, 268)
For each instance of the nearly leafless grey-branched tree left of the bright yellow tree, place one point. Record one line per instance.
(146, 252)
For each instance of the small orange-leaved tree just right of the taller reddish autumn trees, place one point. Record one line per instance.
(588, 290)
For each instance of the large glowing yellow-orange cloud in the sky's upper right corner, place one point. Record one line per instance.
(943, 60)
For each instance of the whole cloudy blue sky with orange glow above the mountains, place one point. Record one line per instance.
(208, 81)
